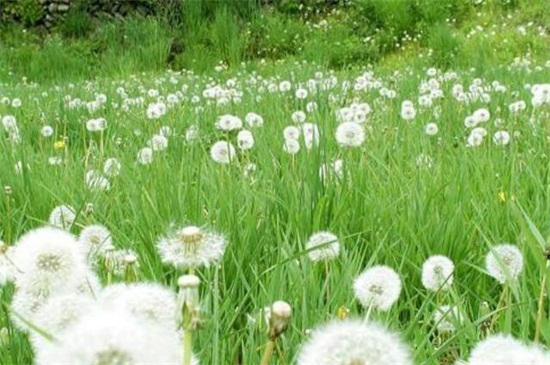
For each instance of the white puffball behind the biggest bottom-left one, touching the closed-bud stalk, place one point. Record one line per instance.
(149, 302)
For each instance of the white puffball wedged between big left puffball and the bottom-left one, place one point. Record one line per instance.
(58, 314)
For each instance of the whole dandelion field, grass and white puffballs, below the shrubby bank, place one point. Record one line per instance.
(338, 190)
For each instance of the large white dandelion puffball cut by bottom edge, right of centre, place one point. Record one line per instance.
(354, 342)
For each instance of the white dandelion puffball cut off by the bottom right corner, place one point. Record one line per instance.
(505, 350)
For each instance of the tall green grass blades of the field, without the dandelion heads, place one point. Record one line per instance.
(385, 211)
